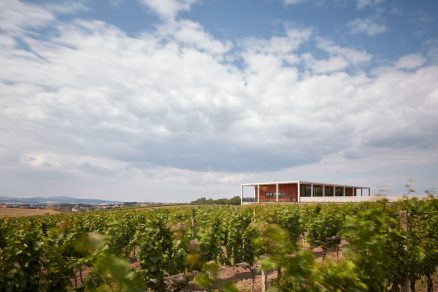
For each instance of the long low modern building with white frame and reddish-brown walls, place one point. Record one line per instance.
(301, 191)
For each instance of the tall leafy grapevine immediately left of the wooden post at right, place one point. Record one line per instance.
(376, 244)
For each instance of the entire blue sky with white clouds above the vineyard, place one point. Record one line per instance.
(172, 100)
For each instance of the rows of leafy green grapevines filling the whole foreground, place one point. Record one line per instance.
(384, 246)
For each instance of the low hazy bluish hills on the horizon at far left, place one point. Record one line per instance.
(54, 200)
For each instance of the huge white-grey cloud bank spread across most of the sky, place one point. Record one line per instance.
(98, 112)
